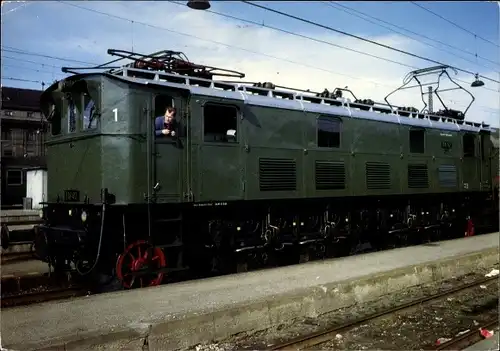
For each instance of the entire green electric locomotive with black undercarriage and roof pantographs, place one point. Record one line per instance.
(256, 173)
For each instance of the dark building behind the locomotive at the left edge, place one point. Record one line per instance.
(22, 143)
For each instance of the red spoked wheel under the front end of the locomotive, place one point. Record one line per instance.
(135, 258)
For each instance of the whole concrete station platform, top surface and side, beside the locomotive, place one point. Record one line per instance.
(180, 315)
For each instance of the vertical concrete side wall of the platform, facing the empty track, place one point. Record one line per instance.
(191, 329)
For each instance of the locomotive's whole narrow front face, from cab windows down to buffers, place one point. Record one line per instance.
(71, 206)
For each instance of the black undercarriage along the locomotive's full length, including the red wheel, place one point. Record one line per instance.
(240, 236)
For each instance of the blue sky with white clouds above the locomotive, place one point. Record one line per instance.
(38, 38)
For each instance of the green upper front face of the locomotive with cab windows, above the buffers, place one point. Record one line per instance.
(72, 108)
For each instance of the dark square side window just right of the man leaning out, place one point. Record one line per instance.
(220, 123)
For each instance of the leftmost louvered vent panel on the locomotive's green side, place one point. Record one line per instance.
(276, 174)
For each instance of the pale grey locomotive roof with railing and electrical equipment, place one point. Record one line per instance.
(285, 98)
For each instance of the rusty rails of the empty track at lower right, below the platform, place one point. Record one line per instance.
(314, 339)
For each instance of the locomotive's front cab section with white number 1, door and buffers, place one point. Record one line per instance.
(104, 159)
